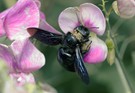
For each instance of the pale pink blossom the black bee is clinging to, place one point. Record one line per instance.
(92, 18)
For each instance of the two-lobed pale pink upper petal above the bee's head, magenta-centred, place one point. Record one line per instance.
(87, 14)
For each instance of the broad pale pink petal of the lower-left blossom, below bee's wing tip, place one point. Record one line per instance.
(28, 58)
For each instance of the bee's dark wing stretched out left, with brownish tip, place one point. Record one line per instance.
(46, 36)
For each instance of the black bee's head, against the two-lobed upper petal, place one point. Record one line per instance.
(83, 31)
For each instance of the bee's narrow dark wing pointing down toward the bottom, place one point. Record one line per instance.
(79, 66)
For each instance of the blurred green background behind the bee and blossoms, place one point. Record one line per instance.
(103, 77)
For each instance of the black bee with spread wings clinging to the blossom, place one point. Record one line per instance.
(74, 44)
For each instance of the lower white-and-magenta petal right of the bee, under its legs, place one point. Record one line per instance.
(97, 52)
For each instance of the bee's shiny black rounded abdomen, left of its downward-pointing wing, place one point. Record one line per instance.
(66, 58)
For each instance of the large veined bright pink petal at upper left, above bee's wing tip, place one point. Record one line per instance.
(24, 14)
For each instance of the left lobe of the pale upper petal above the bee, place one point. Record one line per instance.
(68, 19)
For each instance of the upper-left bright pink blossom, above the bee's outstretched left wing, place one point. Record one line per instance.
(24, 14)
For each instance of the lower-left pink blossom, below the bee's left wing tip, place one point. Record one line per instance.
(22, 58)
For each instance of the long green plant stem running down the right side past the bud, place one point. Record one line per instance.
(119, 64)
